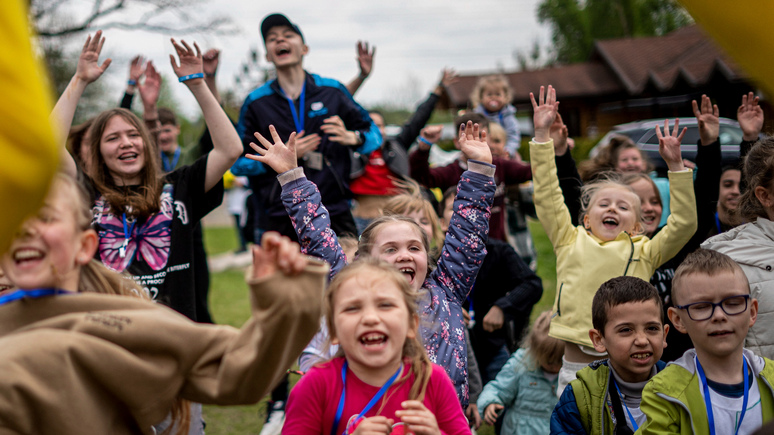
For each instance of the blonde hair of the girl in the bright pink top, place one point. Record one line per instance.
(371, 267)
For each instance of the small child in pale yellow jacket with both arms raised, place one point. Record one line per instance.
(609, 243)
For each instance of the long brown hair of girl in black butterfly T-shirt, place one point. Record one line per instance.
(146, 200)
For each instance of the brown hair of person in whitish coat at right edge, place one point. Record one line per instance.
(758, 171)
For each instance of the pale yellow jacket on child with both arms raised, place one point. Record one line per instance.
(584, 262)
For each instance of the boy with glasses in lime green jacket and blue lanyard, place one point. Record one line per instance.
(718, 387)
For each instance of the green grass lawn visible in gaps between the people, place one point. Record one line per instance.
(229, 305)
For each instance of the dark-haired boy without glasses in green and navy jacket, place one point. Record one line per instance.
(628, 321)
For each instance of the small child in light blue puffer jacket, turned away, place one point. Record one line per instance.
(526, 385)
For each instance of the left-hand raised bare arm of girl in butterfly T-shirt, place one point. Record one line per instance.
(87, 71)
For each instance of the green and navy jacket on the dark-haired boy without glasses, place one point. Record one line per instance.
(591, 388)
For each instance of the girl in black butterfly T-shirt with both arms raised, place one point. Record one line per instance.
(145, 220)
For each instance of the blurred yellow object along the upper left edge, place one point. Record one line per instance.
(29, 152)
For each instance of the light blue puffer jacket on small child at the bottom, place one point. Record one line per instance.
(528, 396)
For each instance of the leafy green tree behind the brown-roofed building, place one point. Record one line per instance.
(576, 24)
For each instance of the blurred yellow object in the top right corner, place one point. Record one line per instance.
(740, 28)
